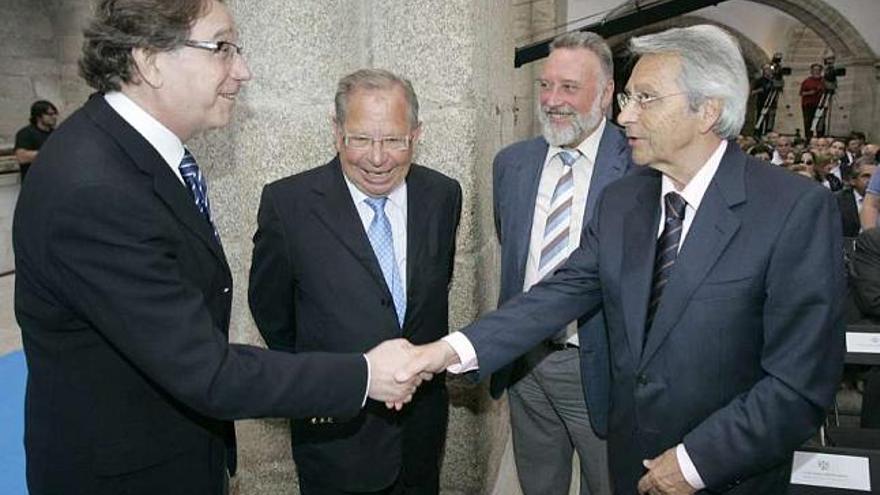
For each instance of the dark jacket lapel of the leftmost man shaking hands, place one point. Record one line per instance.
(165, 184)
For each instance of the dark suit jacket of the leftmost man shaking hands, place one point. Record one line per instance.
(123, 297)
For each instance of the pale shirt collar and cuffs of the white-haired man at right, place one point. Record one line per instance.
(693, 194)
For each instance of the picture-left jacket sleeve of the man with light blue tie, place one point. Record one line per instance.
(270, 293)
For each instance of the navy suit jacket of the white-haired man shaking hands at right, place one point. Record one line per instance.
(746, 348)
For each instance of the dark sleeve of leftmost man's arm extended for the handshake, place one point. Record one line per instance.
(115, 252)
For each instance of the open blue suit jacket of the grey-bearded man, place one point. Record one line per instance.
(516, 176)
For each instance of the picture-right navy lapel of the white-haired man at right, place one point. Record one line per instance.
(710, 233)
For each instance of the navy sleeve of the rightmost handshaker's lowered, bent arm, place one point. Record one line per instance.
(801, 357)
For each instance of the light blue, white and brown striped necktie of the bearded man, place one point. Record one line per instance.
(554, 250)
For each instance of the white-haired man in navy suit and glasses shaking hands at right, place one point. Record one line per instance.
(719, 278)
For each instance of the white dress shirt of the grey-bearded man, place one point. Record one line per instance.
(582, 171)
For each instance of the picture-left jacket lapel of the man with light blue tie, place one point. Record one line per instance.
(334, 208)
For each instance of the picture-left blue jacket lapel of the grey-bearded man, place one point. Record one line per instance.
(528, 178)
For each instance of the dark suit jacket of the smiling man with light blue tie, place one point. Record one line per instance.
(317, 286)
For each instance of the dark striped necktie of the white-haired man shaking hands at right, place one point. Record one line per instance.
(667, 251)
